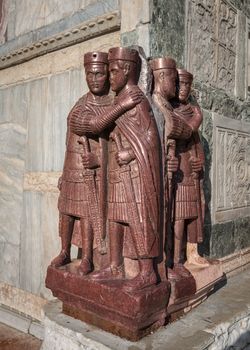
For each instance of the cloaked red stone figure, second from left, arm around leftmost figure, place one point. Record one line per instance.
(133, 175)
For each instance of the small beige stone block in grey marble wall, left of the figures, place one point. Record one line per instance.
(41, 181)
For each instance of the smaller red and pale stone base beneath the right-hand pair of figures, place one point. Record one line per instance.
(189, 292)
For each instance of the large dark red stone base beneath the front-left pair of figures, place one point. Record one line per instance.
(106, 305)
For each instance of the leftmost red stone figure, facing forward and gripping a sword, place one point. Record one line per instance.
(83, 183)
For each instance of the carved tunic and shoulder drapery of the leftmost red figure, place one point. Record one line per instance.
(73, 199)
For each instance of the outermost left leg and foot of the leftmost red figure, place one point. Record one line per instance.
(66, 231)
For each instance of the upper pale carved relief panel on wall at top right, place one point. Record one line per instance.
(212, 33)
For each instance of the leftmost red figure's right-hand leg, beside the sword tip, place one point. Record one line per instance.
(87, 247)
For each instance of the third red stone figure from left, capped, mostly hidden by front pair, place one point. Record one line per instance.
(173, 128)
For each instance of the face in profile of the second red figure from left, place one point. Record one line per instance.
(118, 75)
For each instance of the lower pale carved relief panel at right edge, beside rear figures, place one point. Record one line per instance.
(233, 169)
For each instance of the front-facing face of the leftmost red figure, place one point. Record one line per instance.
(97, 78)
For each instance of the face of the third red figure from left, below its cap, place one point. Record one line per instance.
(167, 81)
